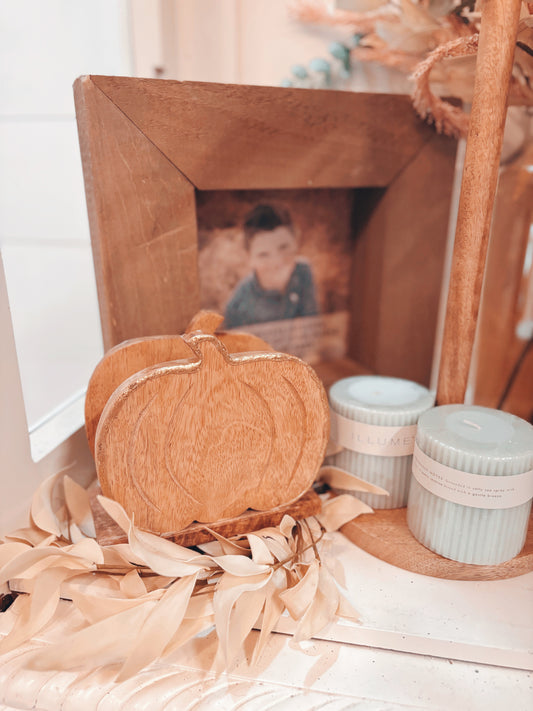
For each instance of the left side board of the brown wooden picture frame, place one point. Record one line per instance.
(142, 216)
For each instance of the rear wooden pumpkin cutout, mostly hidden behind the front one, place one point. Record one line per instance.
(130, 357)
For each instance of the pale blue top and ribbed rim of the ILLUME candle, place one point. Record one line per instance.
(380, 400)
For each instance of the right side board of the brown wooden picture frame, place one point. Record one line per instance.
(397, 266)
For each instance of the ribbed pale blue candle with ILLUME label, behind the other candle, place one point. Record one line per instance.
(374, 419)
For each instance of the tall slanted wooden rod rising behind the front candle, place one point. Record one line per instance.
(499, 26)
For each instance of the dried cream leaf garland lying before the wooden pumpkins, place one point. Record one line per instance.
(190, 588)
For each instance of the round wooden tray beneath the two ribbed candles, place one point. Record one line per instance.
(385, 535)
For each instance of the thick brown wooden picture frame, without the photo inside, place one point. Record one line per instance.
(149, 145)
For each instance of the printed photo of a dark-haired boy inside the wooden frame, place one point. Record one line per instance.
(276, 263)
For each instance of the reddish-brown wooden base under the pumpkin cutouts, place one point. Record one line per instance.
(109, 533)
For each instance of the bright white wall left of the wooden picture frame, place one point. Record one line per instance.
(44, 234)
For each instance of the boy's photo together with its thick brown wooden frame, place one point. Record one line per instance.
(188, 182)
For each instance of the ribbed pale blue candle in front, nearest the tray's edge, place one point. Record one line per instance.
(472, 483)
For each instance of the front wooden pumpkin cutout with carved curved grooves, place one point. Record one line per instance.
(205, 438)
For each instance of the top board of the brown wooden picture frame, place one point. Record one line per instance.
(233, 136)
